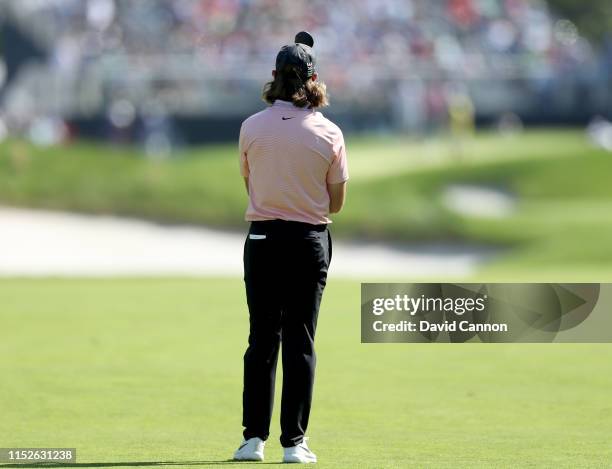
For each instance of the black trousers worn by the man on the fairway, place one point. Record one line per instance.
(285, 272)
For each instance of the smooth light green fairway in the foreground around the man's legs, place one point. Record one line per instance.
(142, 372)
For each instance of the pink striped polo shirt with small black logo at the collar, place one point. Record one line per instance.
(289, 155)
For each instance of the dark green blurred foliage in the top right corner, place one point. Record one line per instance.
(592, 17)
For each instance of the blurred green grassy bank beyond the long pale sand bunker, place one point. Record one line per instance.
(562, 222)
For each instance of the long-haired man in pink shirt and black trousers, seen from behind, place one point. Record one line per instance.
(293, 161)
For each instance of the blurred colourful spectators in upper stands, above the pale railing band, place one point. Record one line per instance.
(464, 37)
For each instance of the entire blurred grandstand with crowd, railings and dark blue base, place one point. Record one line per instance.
(190, 69)
